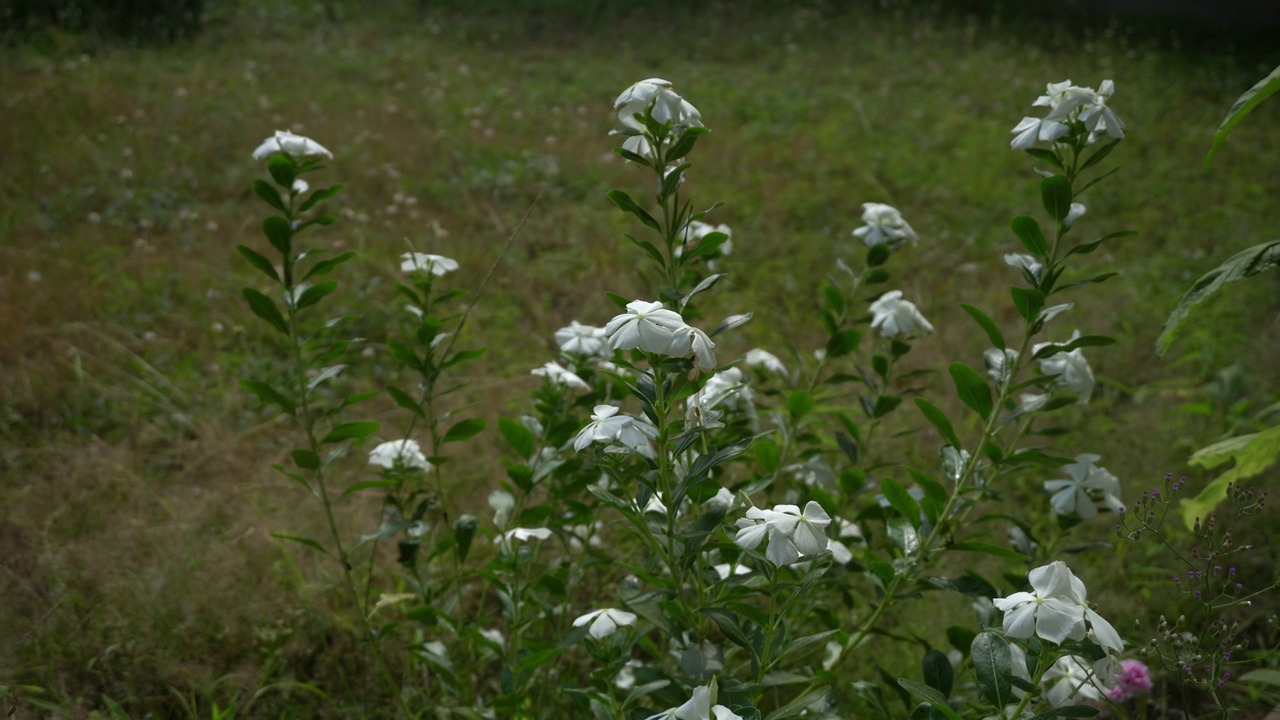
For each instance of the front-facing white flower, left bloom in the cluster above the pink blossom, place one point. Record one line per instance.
(1050, 610)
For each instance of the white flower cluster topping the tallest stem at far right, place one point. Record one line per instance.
(1071, 104)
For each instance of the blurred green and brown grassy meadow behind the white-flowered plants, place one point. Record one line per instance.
(138, 571)
